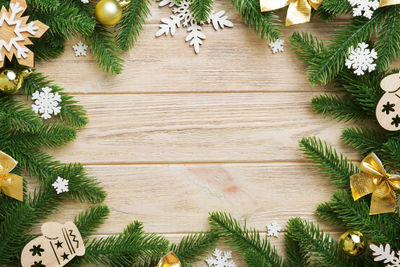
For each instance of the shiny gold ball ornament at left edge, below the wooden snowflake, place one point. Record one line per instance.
(11, 81)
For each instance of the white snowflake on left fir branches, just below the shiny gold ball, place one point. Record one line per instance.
(46, 103)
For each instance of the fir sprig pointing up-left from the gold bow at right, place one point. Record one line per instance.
(331, 164)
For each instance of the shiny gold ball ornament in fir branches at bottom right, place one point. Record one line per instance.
(353, 243)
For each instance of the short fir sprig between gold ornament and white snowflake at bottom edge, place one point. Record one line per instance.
(195, 246)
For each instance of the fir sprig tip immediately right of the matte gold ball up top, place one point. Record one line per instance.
(132, 23)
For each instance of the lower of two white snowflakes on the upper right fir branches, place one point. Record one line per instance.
(361, 59)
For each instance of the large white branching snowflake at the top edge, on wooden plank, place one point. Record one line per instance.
(183, 16)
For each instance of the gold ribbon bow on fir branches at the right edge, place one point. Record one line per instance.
(374, 179)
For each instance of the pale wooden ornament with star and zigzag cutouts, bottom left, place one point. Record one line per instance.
(58, 245)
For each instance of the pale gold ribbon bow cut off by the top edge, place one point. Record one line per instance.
(299, 11)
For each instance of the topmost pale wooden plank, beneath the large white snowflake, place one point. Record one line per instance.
(234, 59)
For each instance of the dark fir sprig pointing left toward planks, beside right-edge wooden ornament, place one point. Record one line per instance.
(341, 108)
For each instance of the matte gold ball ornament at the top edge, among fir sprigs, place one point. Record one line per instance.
(108, 12)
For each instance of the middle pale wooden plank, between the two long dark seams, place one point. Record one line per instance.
(168, 128)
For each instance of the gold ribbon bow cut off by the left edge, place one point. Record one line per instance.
(10, 184)
